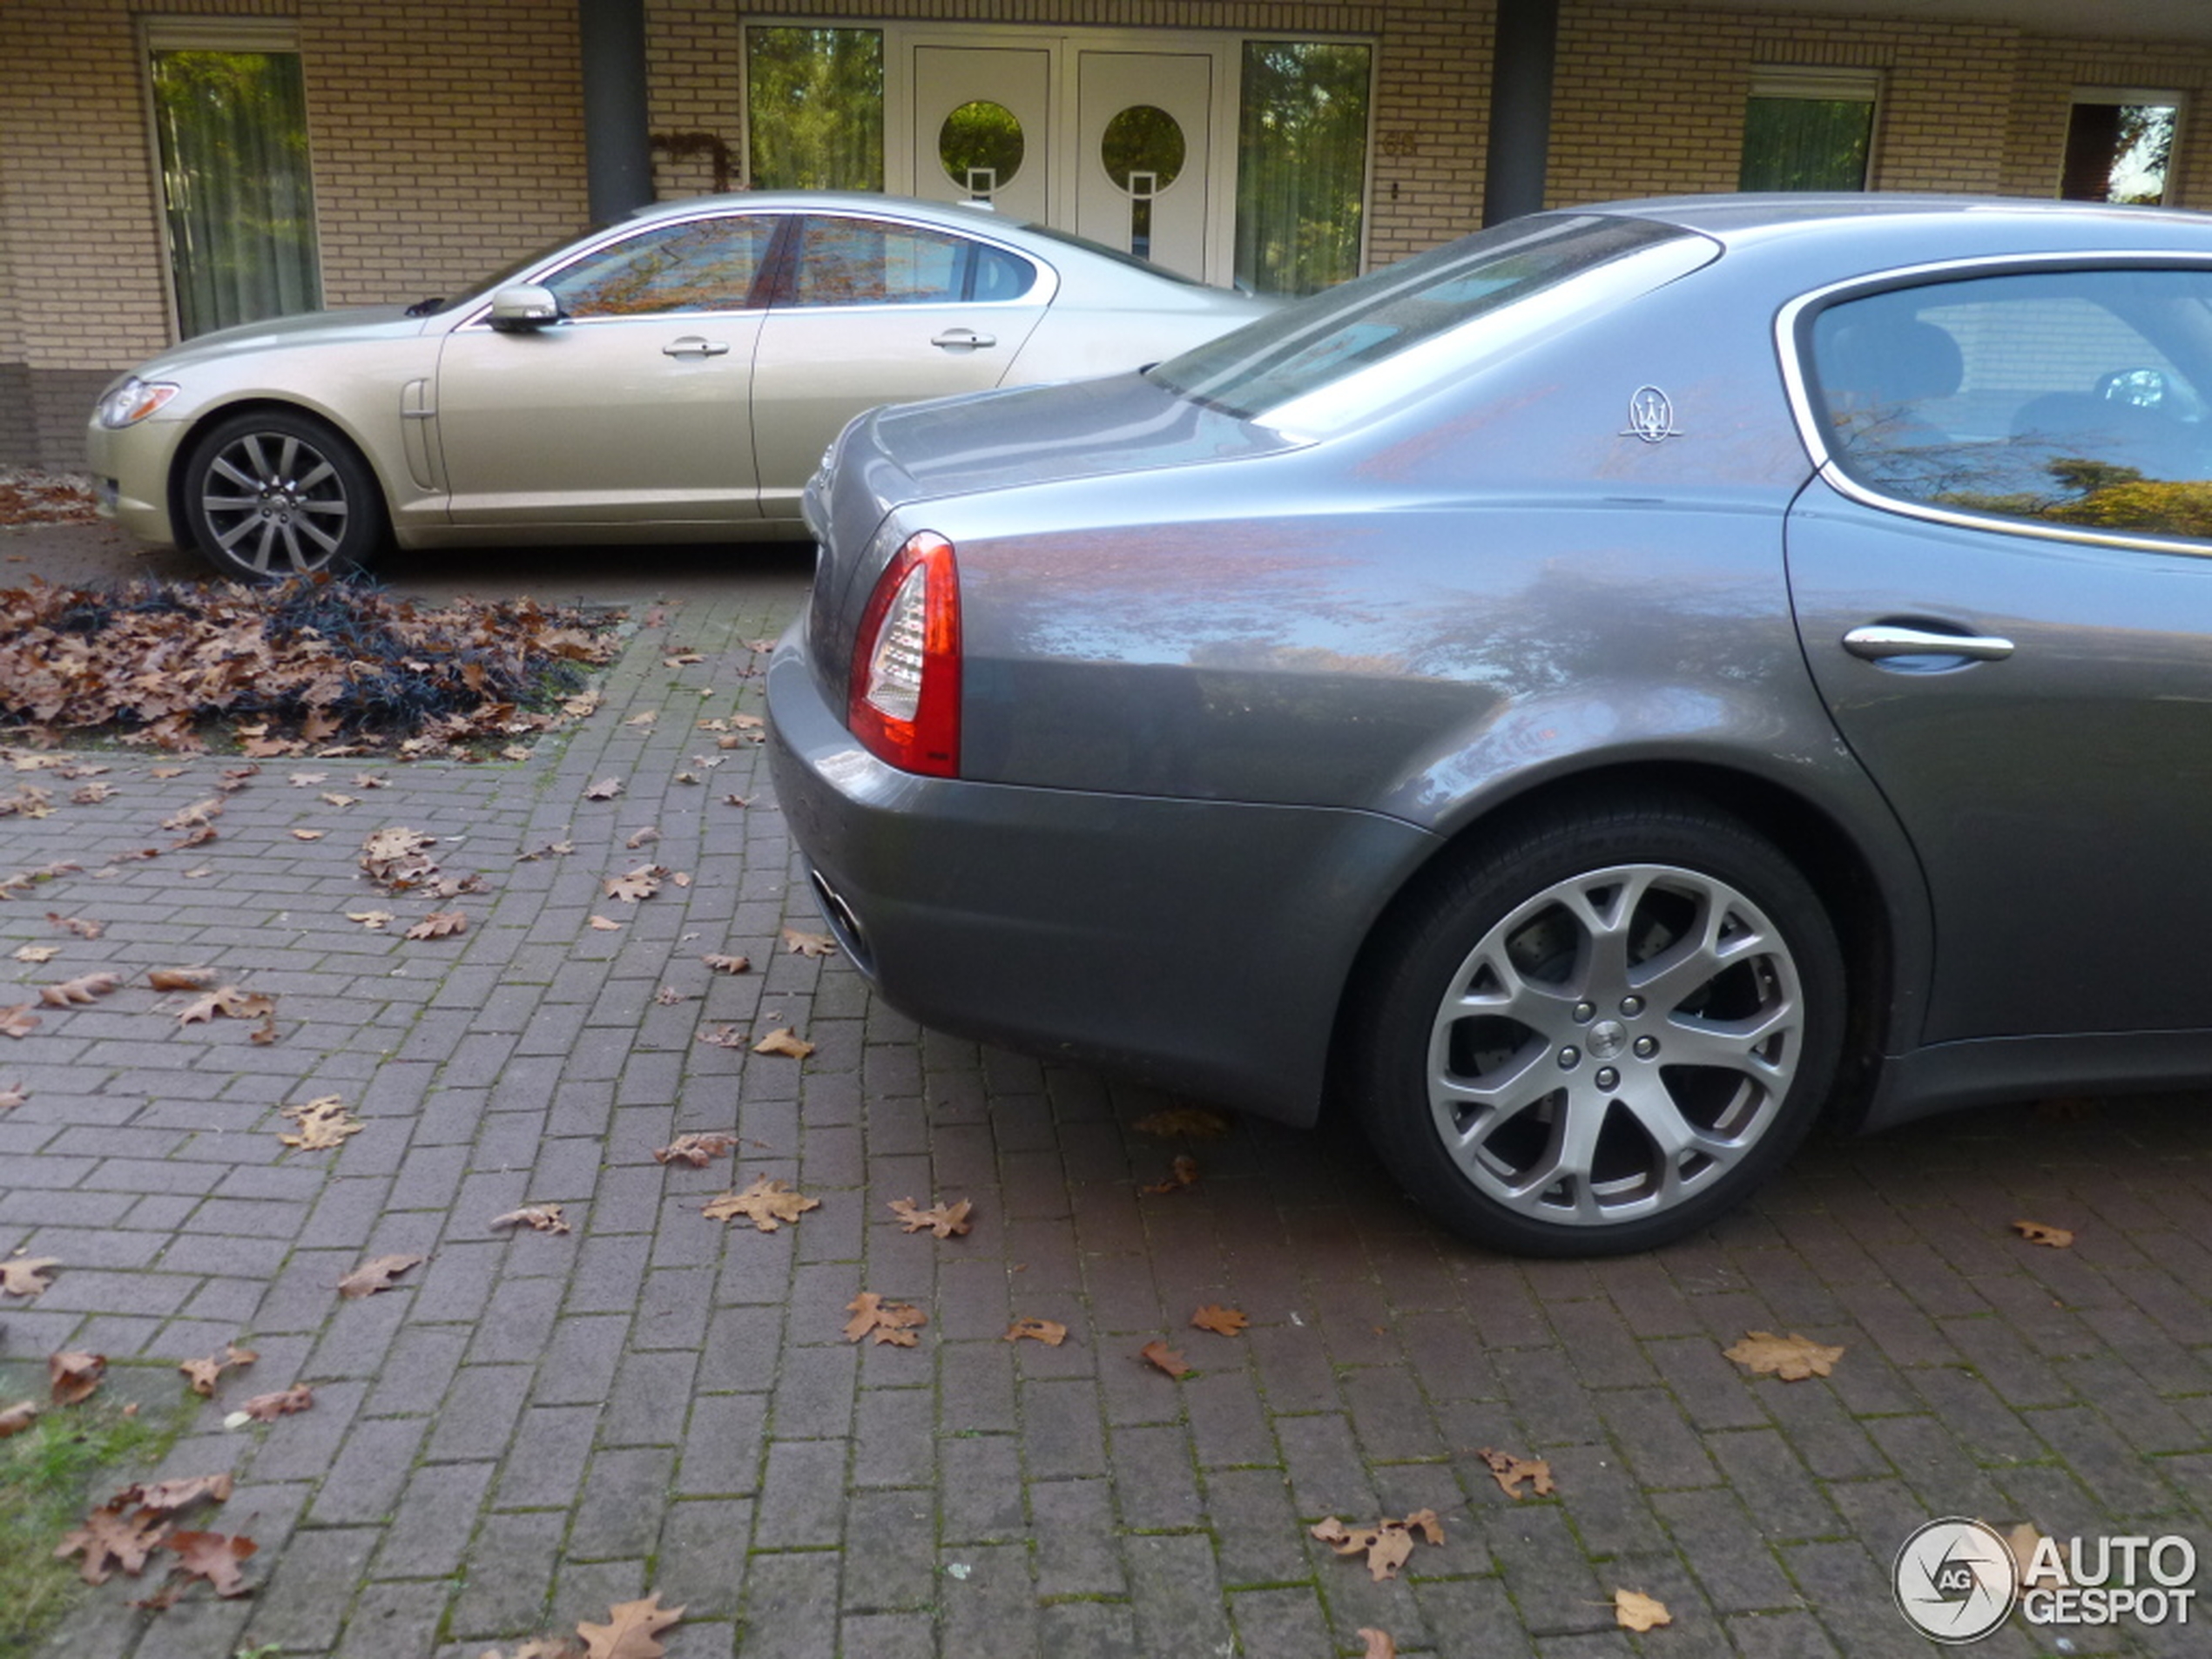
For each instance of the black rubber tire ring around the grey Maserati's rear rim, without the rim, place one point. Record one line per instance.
(1437, 928)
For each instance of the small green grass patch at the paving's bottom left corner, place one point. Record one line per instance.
(50, 1479)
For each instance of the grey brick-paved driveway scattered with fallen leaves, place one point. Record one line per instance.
(532, 1428)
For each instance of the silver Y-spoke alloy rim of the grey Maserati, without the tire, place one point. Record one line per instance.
(1616, 1045)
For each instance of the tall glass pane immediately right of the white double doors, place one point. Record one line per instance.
(1302, 167)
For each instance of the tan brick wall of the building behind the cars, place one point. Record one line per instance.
(448, 138)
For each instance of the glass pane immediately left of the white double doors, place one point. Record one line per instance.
(815, 107)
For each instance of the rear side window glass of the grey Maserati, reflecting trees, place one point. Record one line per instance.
(2060, 397)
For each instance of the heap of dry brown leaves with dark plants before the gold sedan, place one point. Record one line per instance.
(313, 658)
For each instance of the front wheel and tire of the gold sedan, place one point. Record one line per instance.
(273, 494)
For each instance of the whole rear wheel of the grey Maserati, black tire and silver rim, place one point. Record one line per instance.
(1547, 1094)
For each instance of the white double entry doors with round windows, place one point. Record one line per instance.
(1112, 145)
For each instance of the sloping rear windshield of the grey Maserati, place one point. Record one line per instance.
(1375, 317)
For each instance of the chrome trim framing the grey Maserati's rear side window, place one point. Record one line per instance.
(1793, 346)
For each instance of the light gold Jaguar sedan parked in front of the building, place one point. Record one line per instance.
(667, 379)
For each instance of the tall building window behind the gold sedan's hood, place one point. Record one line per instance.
(238, 189)
